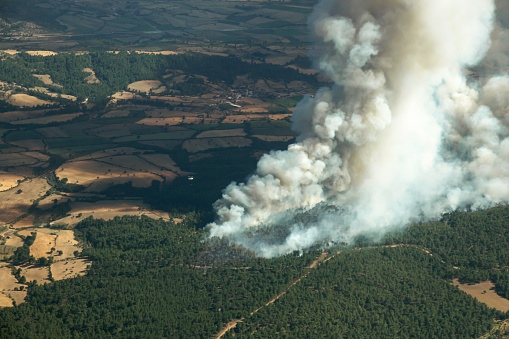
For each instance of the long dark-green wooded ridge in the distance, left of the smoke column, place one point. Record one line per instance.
(117, 70)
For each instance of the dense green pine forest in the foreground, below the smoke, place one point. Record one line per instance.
(151, 278)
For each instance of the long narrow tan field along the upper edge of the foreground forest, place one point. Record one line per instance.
(109, 209)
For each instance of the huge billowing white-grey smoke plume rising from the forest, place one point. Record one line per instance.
(405, 134)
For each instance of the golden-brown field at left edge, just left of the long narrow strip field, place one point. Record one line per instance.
(13, 205)
